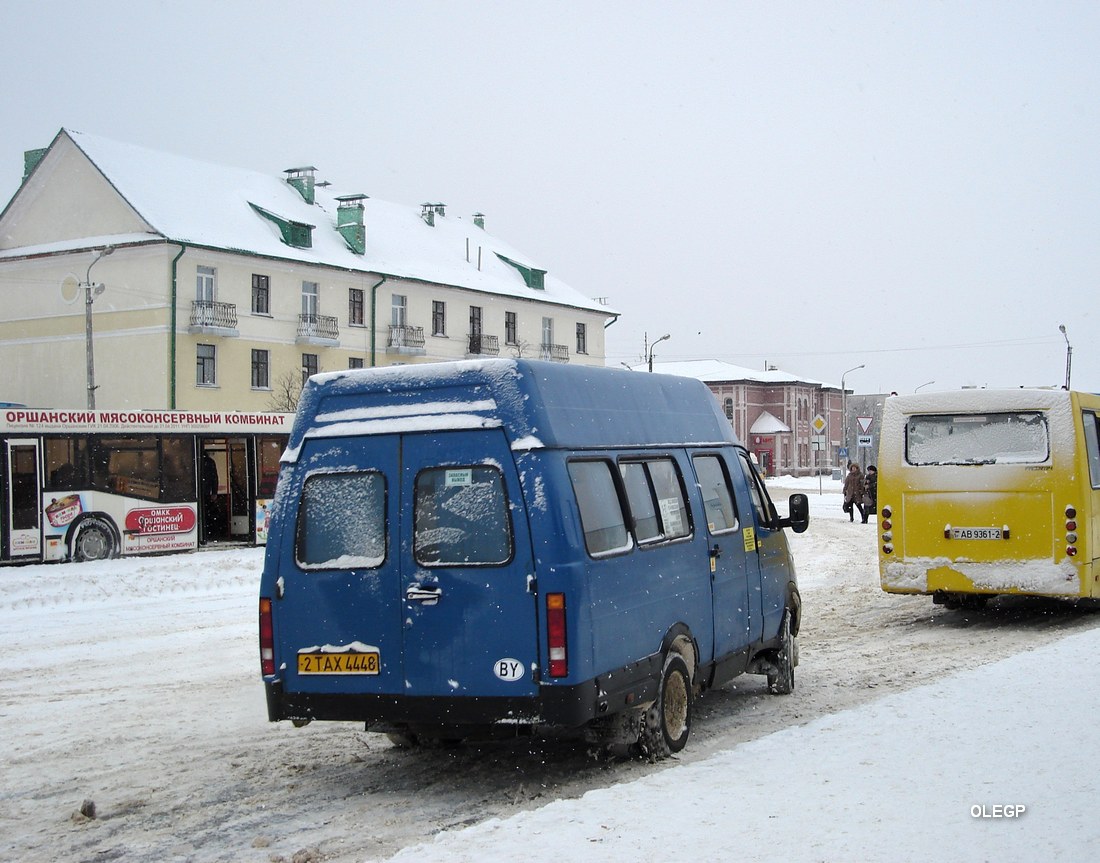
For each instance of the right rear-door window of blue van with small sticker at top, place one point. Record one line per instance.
(461, 517)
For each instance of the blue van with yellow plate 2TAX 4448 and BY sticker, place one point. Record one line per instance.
(511, 547)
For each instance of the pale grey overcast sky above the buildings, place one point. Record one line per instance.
(911, 186)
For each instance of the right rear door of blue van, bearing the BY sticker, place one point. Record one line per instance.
(469, 604)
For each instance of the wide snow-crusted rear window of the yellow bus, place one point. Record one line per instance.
(975, 439)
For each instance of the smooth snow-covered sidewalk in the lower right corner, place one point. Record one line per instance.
(996, 764)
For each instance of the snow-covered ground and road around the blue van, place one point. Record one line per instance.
(135, 684)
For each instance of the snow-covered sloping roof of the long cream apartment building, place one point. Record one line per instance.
(203, 204)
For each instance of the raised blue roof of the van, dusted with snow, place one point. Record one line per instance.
(537, 403)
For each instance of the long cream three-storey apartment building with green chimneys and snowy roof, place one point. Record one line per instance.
(200, 286)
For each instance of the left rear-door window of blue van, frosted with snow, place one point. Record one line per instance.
(343, 522)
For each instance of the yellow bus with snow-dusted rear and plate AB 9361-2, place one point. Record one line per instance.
(987, 492)
